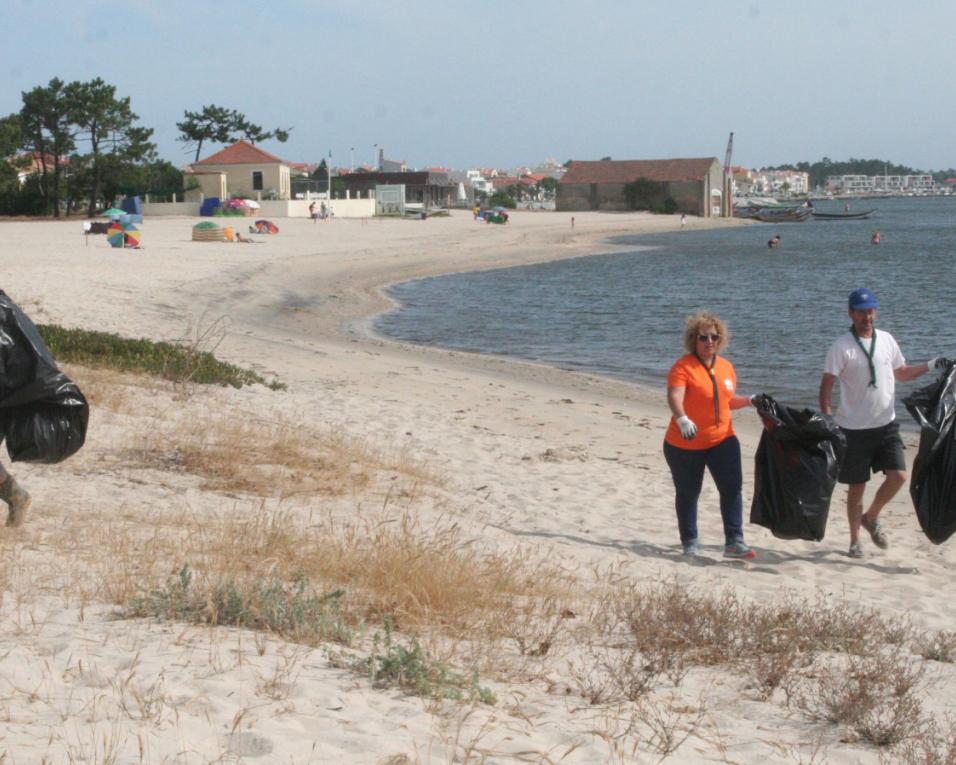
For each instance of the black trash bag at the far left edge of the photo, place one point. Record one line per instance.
(43, 413)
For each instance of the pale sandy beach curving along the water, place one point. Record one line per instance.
(561, 467)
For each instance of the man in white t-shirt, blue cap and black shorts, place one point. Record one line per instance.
(868, 363)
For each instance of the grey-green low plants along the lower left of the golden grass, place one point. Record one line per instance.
(292, 610)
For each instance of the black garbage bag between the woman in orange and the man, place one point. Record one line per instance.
(797, 463)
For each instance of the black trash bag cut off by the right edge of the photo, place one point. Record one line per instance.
(933, 485)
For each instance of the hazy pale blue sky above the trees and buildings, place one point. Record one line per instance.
(503, 83)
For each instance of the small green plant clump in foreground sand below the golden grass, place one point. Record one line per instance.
(409, 667)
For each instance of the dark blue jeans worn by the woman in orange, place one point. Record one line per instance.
(687, 469)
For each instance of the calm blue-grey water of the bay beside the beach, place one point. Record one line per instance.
(622, 315)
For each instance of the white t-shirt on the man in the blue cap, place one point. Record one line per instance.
(861, 405)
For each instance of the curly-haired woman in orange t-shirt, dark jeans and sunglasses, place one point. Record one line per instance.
(701, 392)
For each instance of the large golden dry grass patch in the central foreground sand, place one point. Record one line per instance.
(420, 578)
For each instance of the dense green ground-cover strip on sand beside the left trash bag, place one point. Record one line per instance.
(172, 362)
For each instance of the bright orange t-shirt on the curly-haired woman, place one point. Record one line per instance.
(688, 372)
